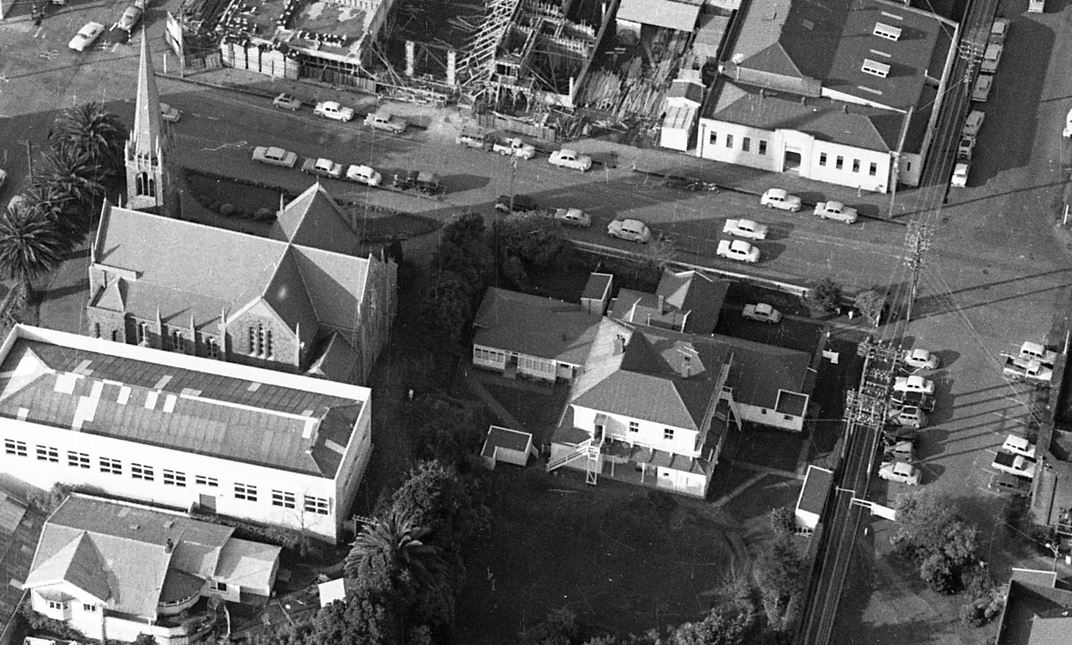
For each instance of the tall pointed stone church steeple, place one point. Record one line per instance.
(150, 182)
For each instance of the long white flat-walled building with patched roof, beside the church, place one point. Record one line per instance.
(183, 432)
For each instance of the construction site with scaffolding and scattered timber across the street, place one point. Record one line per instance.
(629, 67)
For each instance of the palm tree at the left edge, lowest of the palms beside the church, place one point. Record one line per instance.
(32, 246)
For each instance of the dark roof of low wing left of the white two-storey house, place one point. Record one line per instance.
(534, 326)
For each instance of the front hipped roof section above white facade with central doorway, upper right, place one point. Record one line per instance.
(850, 125)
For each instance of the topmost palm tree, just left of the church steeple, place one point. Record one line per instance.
(96, 132)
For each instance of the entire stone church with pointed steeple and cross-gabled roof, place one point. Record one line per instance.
(302, 299)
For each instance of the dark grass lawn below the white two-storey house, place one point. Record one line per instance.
(623, 558)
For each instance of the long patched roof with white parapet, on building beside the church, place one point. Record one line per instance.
(178, 402)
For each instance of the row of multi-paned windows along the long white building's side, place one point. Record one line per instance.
(169, 476)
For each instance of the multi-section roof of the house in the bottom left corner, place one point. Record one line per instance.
(132, 558)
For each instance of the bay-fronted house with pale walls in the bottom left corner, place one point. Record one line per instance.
(116, 571)
